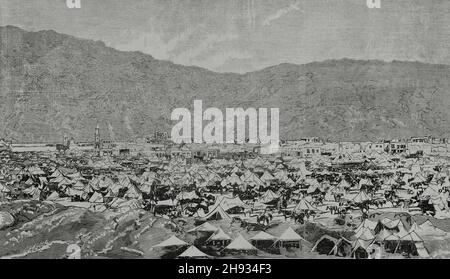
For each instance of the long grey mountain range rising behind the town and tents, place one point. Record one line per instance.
(53, 84)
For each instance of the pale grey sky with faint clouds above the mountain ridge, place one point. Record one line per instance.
(247, 35)
